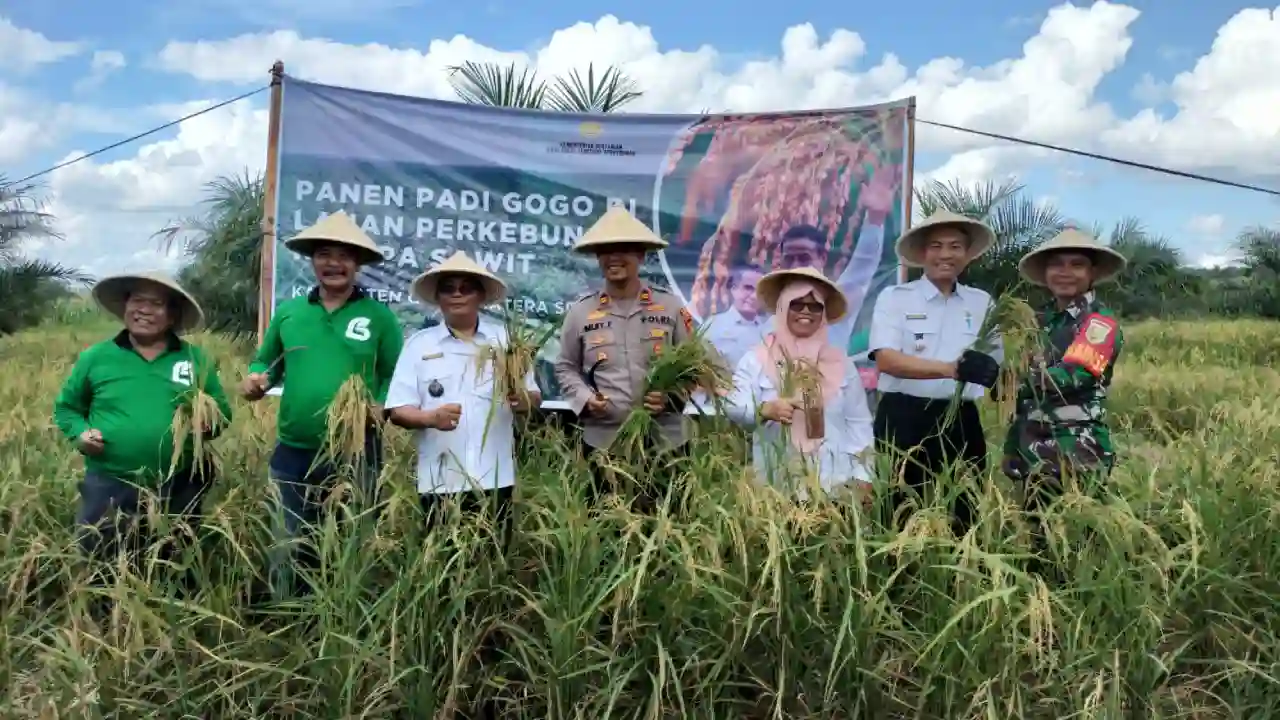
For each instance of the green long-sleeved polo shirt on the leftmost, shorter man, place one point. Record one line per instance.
(132, 400)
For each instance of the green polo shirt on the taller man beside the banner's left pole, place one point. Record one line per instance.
(321, 350)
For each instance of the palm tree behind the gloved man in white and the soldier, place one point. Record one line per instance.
(1018, 221)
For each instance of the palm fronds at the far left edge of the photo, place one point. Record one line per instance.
(29, 288)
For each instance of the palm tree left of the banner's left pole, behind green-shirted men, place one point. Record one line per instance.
(226, 247)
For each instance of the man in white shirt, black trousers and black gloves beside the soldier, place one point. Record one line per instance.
(921, 340)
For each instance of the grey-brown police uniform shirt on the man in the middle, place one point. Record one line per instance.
(619, 343)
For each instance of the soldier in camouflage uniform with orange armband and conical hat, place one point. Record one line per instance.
(1060, 425)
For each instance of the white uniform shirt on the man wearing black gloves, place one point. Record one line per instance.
(917, 320)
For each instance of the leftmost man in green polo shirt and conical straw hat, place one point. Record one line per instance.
(118, 404)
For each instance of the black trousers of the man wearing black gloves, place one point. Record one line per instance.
(912, 431)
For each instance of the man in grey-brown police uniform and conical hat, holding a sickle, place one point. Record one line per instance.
(609, 338)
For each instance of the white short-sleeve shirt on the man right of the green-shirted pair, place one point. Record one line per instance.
(437, 368)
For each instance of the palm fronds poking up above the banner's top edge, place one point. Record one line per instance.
(513, 86)
